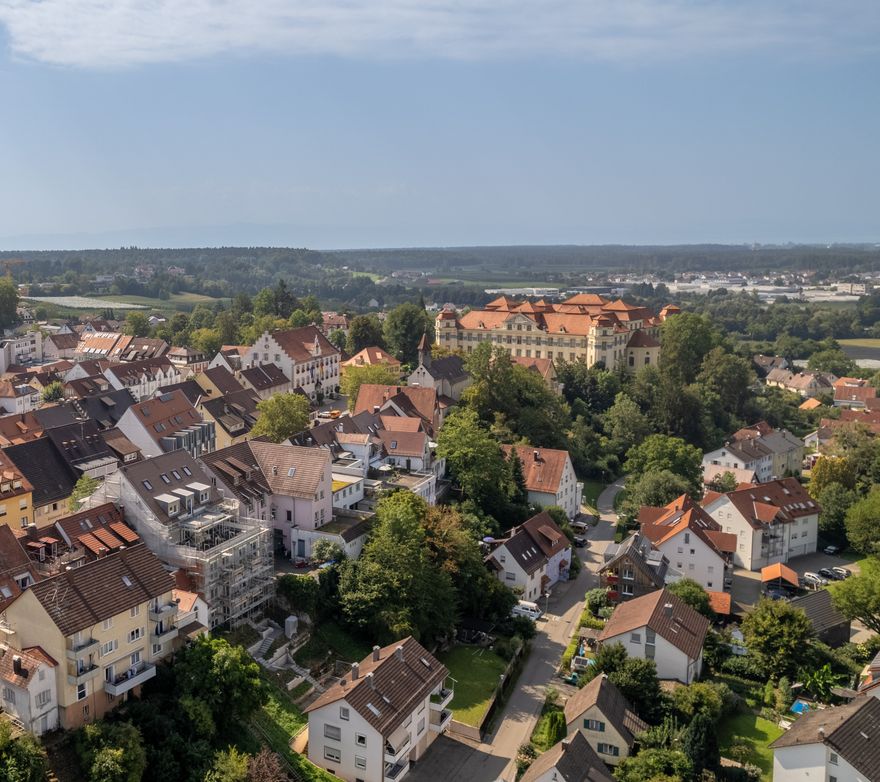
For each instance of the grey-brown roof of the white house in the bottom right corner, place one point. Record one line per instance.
(851, 730)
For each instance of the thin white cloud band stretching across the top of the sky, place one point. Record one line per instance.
(121, 33)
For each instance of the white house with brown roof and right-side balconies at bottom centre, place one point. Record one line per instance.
(382, 715)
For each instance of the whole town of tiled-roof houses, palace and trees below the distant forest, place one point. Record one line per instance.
(560, 536)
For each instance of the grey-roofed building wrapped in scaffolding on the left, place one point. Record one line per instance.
(170, 502)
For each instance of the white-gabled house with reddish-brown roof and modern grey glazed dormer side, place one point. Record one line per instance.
(167, 423)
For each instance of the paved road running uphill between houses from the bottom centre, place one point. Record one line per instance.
(456, 760)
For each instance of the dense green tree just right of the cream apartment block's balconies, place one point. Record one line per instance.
(224, 677)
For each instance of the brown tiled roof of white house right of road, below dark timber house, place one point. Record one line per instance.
(666, 615)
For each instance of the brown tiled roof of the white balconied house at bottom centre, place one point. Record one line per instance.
(399, 681)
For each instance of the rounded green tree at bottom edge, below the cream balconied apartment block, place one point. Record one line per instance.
(111, 752)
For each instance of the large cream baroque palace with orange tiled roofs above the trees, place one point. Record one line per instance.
(585, 327)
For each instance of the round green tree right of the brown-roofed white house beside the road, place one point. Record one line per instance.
(777, 634)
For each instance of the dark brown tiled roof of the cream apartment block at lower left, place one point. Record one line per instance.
(80, 598)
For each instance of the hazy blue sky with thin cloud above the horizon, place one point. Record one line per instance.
(394, 123)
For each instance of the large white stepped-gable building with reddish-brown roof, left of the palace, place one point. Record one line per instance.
(304, 355)
